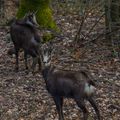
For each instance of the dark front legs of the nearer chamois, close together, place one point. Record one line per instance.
(59, 103)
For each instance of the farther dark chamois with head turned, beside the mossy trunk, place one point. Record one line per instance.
(25, 36)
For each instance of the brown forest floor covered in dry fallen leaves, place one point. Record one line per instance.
(24, 96)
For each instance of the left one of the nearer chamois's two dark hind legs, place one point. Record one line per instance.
(81, 105)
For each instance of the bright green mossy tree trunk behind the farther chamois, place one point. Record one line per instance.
(44, 14)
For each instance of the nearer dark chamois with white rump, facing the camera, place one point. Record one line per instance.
(68, 84)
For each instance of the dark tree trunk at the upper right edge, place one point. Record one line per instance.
(112, 12)
